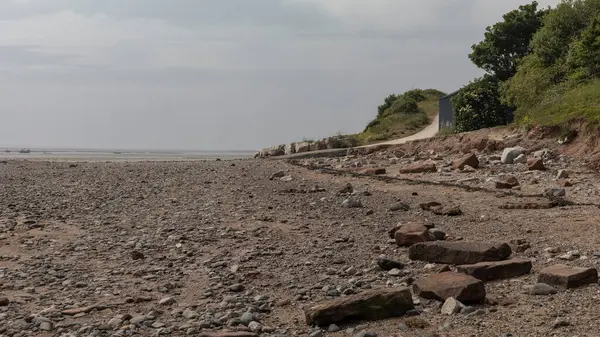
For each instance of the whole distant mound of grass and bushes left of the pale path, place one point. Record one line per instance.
(402, 115)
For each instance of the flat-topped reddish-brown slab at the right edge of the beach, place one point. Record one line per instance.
(564, 276)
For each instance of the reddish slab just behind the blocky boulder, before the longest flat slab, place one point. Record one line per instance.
(488, 271)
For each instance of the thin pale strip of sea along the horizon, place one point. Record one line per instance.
(120, 154)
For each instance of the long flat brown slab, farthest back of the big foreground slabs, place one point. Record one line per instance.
(459, 253)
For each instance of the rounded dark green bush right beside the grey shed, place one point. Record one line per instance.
(477, 105)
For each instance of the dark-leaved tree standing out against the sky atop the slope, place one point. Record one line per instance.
(508, 41)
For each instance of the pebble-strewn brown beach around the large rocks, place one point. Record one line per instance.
(179, 248)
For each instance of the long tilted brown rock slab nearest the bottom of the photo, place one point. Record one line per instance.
(369, 305)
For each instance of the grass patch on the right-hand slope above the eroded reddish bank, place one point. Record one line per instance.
(561, 107)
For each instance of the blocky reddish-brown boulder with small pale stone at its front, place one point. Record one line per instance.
(463, 288)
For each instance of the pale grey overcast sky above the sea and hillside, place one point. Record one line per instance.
(222, 74)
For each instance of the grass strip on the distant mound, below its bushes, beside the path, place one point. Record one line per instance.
(401, 125)
